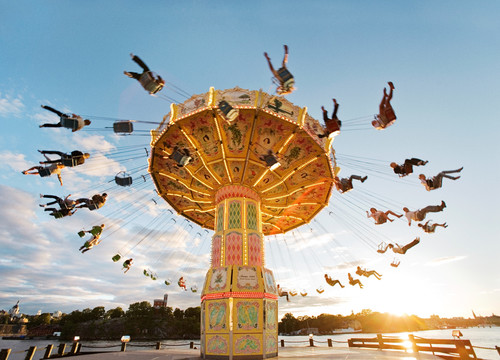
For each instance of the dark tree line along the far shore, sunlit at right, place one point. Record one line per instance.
(143, 321)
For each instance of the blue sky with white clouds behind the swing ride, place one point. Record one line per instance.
(443, 57)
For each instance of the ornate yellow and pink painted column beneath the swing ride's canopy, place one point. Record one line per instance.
(239, 306)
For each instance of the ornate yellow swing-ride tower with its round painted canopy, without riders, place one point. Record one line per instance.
(244, 164)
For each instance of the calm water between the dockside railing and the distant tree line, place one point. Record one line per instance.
(484, 337)
